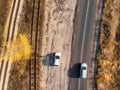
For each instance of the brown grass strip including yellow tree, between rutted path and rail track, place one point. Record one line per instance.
(18, 79)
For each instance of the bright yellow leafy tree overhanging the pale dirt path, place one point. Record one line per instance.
(18, 49)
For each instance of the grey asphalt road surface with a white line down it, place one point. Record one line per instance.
(82, 41)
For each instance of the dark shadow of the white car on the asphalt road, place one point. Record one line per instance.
(74, 72)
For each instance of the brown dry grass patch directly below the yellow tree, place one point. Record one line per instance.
(18, 79)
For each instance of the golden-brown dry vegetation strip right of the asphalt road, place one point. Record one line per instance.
(108, 74)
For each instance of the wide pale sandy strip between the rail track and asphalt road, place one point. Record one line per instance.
(57, 36)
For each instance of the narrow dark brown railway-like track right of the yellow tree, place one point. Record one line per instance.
(34, 39)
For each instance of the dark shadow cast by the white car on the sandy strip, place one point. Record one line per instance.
(48, 60)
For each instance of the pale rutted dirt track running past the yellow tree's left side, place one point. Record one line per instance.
(11, 27)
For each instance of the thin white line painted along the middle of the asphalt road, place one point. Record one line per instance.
(84, 30)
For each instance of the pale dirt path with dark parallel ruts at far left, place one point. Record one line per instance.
(16, 9)
